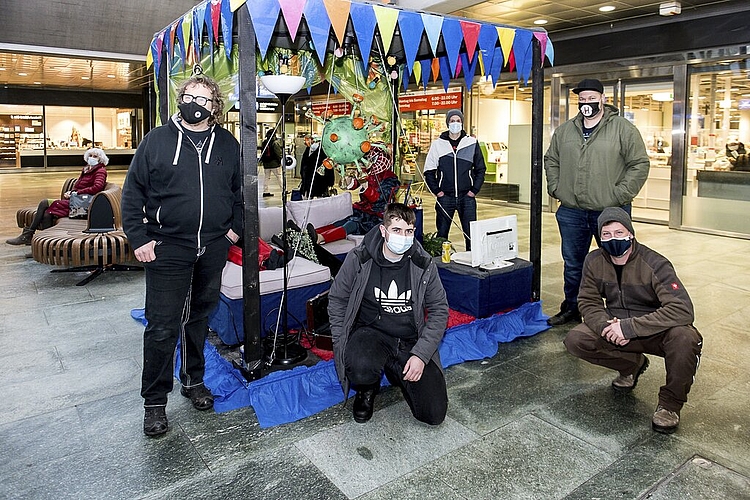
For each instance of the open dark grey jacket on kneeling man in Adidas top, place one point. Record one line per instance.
(428, 296)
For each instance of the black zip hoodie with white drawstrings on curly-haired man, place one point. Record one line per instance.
(182, 194)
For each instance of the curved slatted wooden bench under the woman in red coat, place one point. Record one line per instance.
(96, 244)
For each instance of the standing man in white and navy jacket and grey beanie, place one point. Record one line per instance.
(454, 172)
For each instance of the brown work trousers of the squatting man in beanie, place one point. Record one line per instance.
(680, 347)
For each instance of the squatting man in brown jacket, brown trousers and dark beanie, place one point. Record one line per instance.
(633, 304)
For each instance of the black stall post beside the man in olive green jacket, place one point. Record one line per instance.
(537, 119)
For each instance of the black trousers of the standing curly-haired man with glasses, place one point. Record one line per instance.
(182, 288)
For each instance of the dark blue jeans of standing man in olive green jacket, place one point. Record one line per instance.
(577, 227)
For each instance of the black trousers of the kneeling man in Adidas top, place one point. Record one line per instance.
(370, 352)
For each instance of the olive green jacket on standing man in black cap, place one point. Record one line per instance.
(607, 170)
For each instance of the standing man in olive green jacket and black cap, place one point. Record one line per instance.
(595, 160)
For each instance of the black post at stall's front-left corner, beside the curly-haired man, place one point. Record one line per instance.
(253, 354)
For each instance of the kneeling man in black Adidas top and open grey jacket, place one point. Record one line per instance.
(388, 313)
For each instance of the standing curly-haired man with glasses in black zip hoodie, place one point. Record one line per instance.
(181, 210)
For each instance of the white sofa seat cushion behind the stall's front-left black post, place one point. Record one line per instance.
(302, 272)
